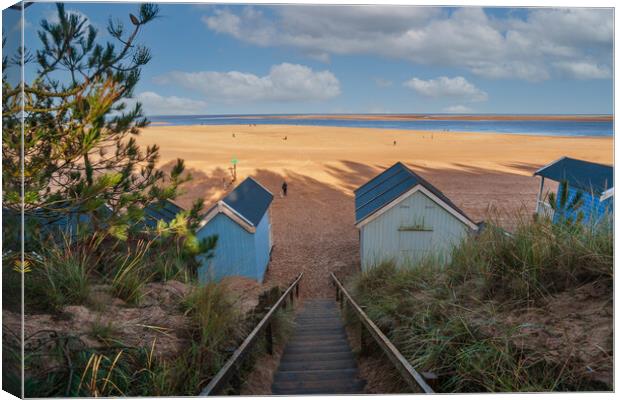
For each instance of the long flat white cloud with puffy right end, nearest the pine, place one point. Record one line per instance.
(285, 82)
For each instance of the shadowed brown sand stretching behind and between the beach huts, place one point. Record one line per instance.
(313, 226)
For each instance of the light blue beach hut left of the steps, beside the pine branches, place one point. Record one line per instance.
(241, 222)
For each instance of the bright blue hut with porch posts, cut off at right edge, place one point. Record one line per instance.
(594, 182)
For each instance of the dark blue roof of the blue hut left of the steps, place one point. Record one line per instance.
(246, 205)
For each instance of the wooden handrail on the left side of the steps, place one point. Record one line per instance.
(223, 375)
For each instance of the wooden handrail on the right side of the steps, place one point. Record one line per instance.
(411, 376)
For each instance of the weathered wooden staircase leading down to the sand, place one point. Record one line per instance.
(318, 358)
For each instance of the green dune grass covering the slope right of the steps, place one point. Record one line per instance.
(445, 318)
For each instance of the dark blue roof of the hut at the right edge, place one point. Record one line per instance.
(581, 174)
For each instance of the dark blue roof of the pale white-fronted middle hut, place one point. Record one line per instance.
(392, 183)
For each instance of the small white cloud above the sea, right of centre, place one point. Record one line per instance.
(447, 87)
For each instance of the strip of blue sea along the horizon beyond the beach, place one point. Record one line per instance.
(529, 127)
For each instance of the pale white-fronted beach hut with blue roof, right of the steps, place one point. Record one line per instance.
(403, 218)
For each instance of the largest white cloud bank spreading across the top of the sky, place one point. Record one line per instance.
(489, 46)
